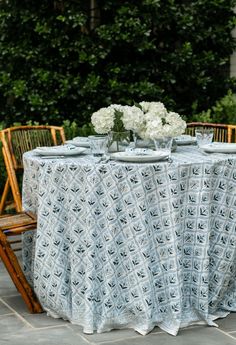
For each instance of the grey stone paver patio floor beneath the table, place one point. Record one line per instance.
(19, 327)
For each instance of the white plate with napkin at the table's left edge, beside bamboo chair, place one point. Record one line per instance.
(62, 150)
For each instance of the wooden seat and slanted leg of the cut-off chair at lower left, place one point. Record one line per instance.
(11, 225)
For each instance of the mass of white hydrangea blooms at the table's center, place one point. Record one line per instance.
(148, 120)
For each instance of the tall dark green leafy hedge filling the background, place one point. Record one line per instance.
(59, 64)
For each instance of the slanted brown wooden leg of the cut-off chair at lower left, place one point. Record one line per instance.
(13, 267)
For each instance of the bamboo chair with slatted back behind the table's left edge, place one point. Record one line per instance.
(15, 142)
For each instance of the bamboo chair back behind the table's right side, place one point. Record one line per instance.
(222, 132)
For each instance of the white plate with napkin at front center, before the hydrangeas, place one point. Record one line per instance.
(145, 157)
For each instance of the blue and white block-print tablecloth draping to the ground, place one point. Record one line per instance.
(133, 245)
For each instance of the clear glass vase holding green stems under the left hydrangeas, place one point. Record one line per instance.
(118, 141)
